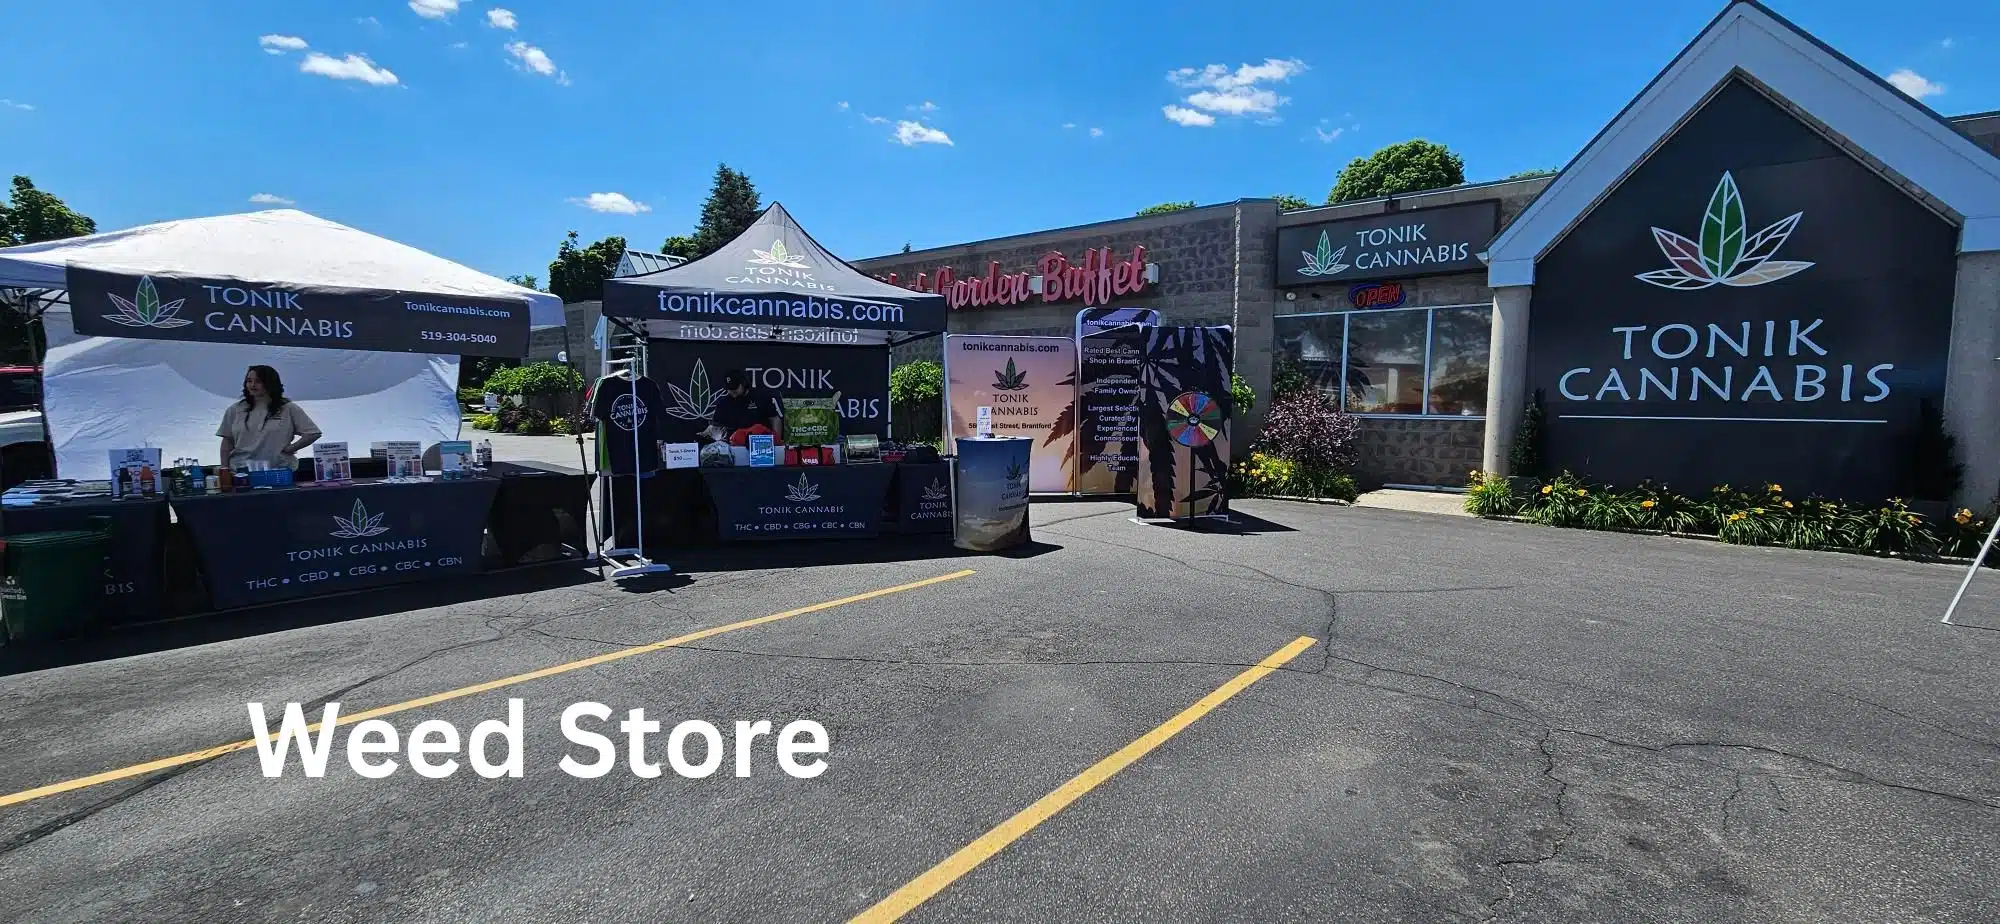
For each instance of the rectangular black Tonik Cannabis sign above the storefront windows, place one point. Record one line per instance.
(1395, 245)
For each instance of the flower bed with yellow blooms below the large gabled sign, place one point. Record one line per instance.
(1761, 517)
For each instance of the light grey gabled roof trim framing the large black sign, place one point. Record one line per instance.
(1843, 97)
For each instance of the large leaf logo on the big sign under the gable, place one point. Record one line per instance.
(1725, 255)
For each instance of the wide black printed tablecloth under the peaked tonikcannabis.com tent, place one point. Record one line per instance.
(799, 501)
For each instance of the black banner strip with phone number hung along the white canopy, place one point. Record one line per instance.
(227, 311)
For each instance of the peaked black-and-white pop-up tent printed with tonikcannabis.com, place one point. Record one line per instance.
(779, 307)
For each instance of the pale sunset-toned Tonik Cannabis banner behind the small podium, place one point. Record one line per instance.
(1031, 387)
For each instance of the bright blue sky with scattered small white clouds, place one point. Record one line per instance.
(487, 131)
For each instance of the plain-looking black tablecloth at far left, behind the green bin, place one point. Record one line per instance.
(133, 585)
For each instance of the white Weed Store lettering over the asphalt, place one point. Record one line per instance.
(495, 749)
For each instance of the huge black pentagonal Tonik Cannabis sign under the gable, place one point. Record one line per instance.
(1749, 307)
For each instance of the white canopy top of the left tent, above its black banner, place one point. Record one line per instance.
(279, 247)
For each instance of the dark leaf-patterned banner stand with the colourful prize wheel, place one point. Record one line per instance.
(1185, 421)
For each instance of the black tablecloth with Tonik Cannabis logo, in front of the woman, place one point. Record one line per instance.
(279, 545)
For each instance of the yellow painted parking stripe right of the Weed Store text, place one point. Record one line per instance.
(967, 859)
